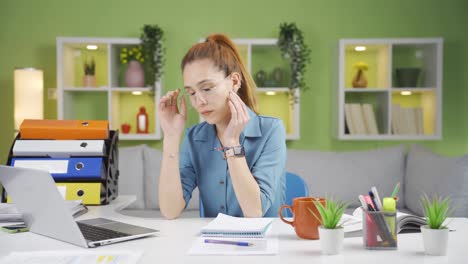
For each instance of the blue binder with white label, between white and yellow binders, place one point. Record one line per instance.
(66, 169)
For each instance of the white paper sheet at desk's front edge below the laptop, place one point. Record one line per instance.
(75, 257)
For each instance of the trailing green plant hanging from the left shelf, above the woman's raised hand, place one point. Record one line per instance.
(153, 50)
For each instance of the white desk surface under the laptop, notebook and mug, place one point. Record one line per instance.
(176, 237)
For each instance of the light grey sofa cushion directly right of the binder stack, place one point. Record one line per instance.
(132, 174)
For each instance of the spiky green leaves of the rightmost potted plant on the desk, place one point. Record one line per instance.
(436, 210)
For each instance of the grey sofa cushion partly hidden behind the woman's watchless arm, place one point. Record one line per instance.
(152, 168)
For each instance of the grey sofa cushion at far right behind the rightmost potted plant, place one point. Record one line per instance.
(432, 174)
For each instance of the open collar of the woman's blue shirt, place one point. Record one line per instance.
(252, 129)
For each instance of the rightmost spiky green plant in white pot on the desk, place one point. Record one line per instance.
(435, 233)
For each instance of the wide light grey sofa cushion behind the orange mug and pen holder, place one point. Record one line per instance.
(346, 175)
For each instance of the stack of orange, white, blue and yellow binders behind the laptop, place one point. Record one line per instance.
(81, 156)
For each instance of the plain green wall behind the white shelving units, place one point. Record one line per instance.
(29, 29)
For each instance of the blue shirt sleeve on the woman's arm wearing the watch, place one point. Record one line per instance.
(268, 169)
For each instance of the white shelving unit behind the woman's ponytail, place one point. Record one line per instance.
(272, 94)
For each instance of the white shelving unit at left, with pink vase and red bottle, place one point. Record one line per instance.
(110, 99)
